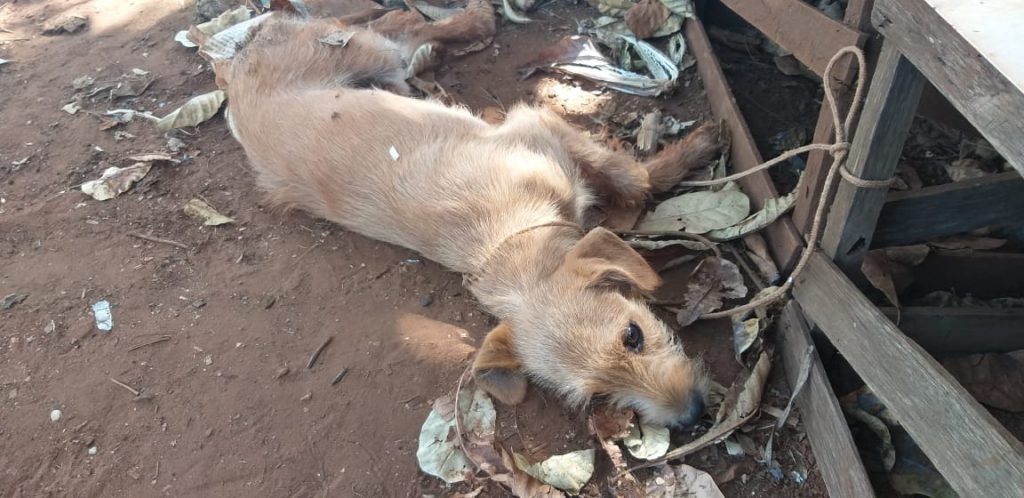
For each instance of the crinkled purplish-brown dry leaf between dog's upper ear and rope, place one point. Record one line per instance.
(713, 281)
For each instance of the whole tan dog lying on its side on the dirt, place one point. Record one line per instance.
(329, 131)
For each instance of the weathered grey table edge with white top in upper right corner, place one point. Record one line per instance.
(965, 73)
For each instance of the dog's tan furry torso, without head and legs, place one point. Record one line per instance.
(324, 139)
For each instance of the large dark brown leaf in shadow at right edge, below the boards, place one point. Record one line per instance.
(995, 380)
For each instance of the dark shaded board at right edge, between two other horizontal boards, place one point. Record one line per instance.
(984, 275)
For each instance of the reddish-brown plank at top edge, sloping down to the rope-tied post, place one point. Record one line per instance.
(799, 28)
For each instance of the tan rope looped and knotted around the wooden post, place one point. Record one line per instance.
(839, 151)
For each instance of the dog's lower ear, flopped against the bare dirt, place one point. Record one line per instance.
(497, 368)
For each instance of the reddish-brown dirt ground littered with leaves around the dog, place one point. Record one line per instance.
(228, 406)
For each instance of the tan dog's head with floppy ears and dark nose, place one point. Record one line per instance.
(584, 330)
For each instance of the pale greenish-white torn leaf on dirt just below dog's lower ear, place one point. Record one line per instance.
(440, 452)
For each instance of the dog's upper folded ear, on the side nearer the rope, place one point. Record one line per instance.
(605, 260)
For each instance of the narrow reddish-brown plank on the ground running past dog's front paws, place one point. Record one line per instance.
(782, 236)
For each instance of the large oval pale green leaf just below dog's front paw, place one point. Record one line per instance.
(698, 213)
